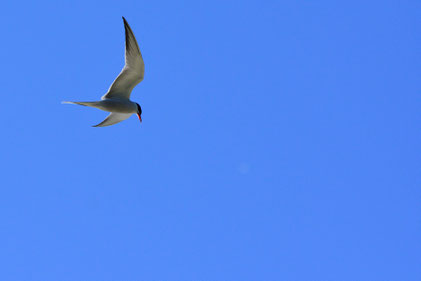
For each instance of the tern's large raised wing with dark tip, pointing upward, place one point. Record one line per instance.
(133, 70)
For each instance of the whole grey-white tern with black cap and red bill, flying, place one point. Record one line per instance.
(117, 99)
